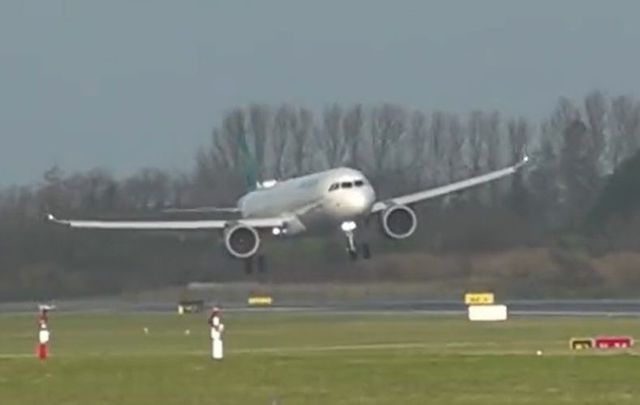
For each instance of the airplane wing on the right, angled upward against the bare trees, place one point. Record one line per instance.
(449, 188)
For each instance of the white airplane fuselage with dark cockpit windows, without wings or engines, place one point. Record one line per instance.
(318, 201)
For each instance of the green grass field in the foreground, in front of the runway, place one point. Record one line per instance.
(315, 359)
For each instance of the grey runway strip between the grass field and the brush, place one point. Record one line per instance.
(627, 308)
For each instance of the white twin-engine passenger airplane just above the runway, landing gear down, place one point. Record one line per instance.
(330, 200)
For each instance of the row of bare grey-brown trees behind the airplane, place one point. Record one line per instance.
(574, 152)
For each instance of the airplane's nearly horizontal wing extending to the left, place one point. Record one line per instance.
(190, 225)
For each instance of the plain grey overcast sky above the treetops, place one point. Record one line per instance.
(124, 84)
